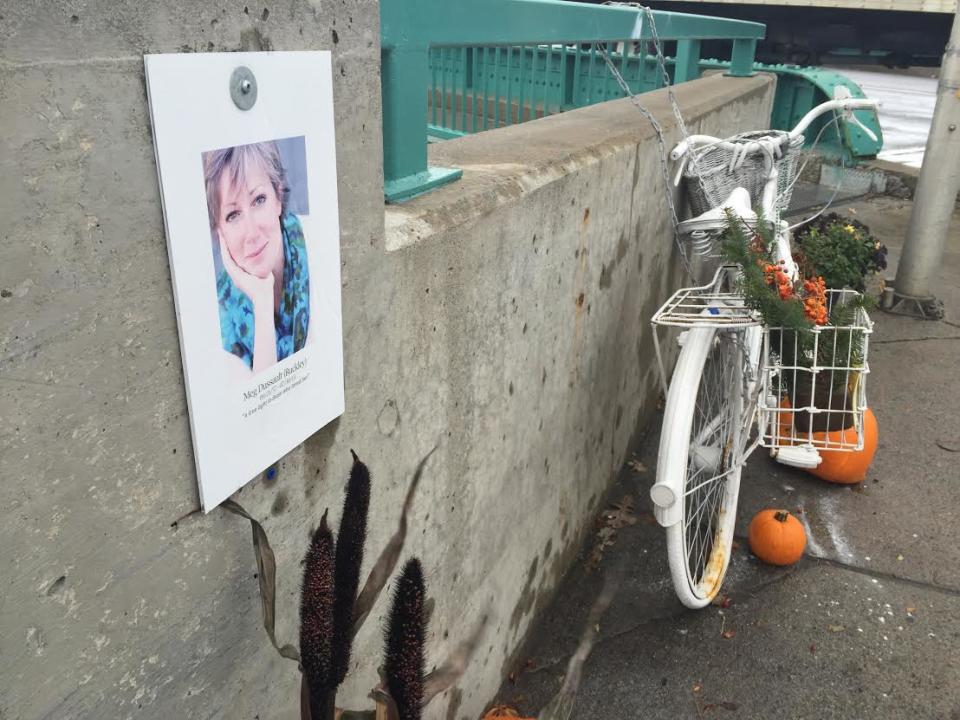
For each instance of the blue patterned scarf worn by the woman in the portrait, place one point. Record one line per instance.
(291, 320)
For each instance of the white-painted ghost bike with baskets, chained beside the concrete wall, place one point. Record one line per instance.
(730, 376)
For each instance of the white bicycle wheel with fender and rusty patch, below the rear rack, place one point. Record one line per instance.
(701, 454)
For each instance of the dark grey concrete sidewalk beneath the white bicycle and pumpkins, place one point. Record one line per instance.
(866, 625)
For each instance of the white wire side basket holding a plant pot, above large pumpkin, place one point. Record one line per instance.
(813, 383)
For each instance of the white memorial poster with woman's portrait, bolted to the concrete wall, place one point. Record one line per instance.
(247, 163)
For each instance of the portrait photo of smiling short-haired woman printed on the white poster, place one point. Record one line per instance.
(260, 254)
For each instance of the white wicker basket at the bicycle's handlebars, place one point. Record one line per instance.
(709, 178)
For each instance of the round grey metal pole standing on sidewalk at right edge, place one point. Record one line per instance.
(936, 193)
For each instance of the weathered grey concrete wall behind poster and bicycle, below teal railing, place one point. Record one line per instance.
(504, 317)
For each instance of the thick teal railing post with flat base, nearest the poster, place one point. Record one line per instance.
(405, 77)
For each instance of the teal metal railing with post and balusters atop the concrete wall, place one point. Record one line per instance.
(487, 50)
